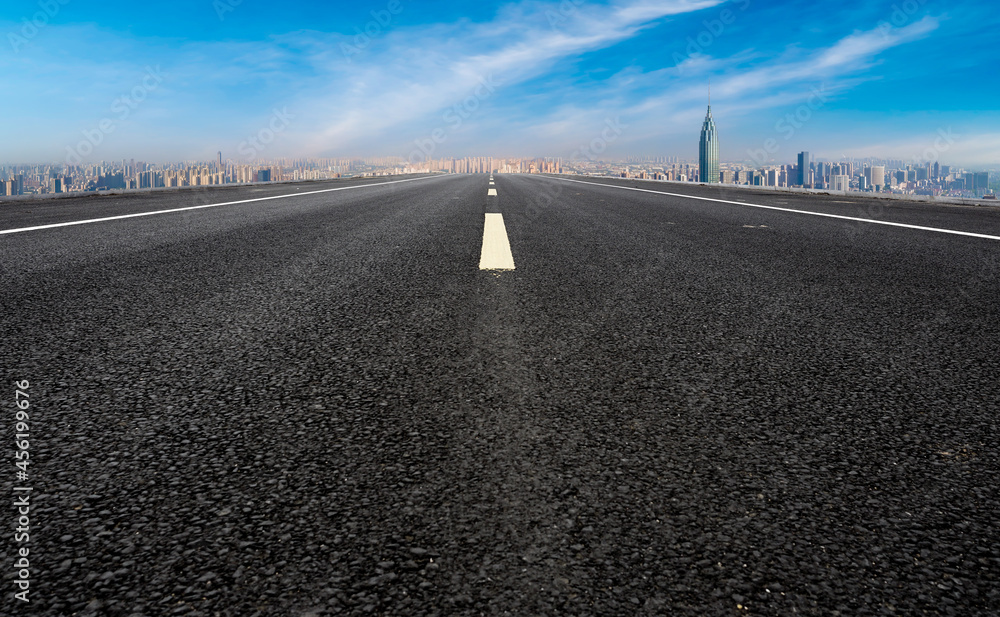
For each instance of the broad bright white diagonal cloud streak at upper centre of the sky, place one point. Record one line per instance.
(409, 77)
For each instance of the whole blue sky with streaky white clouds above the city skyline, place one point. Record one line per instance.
(181, 80)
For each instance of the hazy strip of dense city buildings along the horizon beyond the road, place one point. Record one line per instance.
(866, 175)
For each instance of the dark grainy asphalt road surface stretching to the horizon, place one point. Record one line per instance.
(321, 405)
